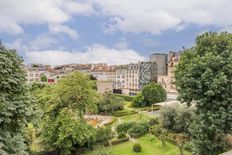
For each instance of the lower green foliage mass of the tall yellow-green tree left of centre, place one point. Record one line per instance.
(66, 130)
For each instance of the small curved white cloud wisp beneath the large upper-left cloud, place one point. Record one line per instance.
(63, 29)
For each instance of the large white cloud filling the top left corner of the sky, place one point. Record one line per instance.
(14, 13)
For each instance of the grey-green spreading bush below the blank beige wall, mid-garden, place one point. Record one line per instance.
(110, 102)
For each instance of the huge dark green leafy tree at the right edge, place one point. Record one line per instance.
(203, 77)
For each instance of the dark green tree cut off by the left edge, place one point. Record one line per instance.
(16, 104)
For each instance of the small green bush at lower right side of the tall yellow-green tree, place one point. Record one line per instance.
(103, 135)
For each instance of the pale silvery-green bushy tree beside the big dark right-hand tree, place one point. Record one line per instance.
(176, 118)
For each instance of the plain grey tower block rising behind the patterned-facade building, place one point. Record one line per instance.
(161, 60)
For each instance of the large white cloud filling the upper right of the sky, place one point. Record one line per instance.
(156, 16)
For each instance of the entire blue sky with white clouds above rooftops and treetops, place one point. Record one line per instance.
(59, 32)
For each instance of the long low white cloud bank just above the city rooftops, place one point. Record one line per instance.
(93, 54)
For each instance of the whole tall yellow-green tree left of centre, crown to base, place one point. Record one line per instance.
(64, 127)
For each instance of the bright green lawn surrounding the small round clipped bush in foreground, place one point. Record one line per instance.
(150, 146)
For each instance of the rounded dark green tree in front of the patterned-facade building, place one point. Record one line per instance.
(154, 93)
